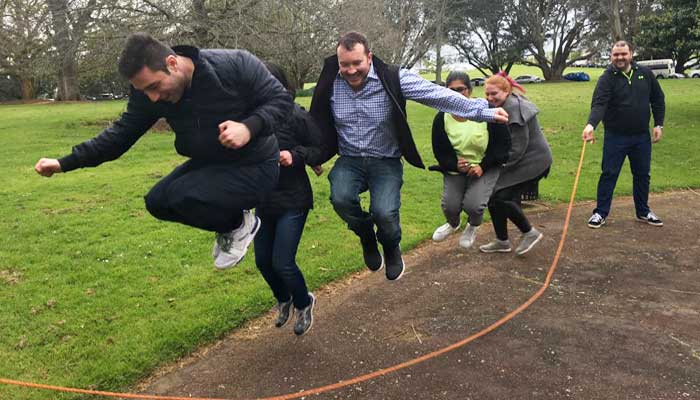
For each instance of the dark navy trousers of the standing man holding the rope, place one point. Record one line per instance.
(615, 148)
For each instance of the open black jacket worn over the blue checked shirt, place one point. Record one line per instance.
(389, 77)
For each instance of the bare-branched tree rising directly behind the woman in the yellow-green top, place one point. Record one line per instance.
(488, 39)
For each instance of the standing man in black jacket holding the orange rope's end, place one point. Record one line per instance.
(623, 98)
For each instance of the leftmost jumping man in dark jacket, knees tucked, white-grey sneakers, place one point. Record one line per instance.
(223, 106)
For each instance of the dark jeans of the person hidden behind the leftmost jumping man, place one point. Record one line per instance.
(275, 255)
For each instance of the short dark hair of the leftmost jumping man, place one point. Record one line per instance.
(143, 50)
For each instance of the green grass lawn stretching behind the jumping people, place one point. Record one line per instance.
(95, 293)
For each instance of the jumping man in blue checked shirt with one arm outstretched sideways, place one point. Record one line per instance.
(360, 105)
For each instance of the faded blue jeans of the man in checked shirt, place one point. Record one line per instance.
(383, 177)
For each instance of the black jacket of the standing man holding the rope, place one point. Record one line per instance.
(623, 105)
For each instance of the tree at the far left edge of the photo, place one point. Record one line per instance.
(23, 38)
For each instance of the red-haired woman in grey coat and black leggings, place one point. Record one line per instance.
(529, 161)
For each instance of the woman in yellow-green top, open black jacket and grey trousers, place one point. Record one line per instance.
(470, 155)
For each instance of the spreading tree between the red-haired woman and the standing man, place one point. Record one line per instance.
(552, 30)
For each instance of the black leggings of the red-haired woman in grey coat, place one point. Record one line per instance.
(504, 205)
